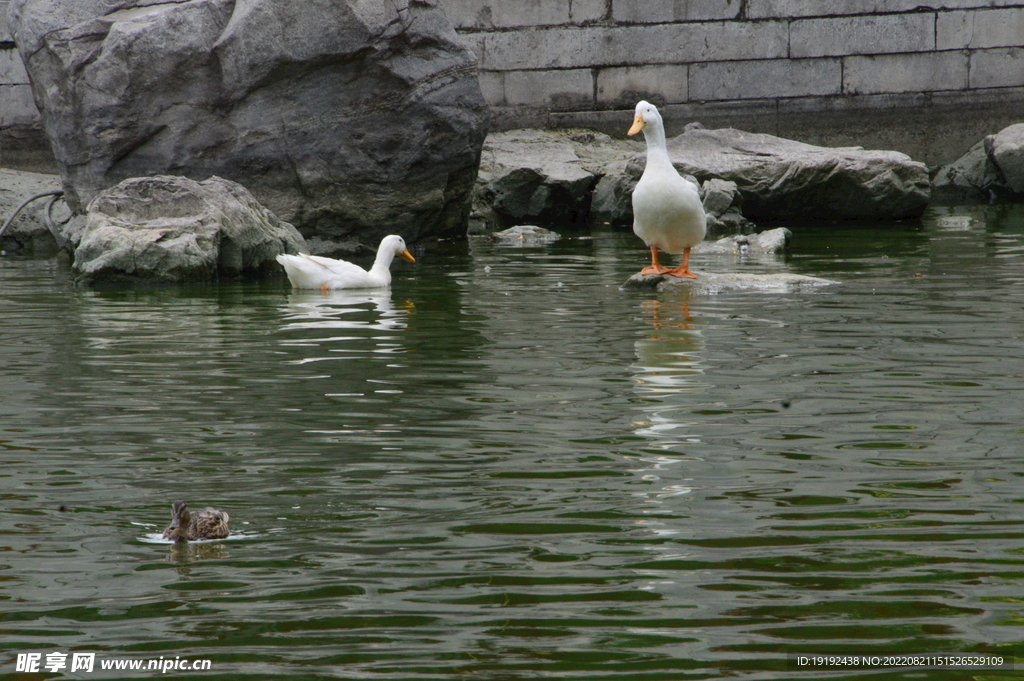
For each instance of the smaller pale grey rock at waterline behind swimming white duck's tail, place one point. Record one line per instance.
(168, 229)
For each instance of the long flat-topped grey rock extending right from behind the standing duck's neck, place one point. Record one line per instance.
(783, 180)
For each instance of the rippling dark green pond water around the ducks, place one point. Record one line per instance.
(509, 469)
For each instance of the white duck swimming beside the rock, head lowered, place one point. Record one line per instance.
(312, 272)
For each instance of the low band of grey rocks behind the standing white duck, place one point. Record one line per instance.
(561, 178)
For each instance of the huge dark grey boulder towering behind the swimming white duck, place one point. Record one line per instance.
(344, 117)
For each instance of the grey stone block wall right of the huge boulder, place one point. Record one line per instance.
(928, 80)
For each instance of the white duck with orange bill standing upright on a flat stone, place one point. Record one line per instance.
(668, 214)
